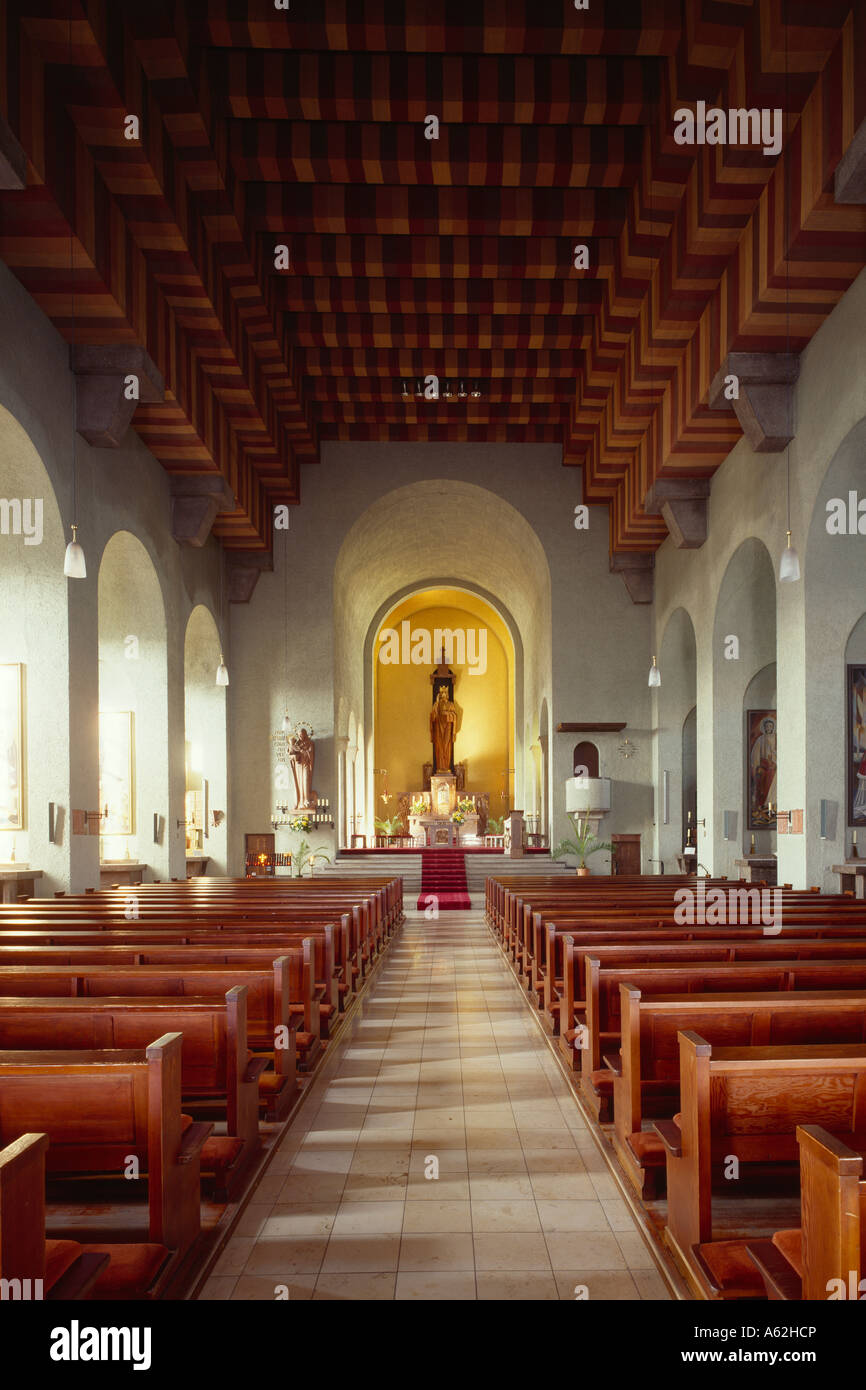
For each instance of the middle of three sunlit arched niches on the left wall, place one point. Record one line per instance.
(133, 707)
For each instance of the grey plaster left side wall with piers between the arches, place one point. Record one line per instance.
(119, 490)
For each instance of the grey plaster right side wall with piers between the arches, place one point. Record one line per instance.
(812, 616)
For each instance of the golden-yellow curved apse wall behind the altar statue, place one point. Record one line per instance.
(404, 697)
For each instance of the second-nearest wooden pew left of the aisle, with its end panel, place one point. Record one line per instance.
(98, 1111)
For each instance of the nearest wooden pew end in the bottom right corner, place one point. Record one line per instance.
(826, 1257)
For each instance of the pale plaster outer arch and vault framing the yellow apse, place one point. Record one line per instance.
(440, 533)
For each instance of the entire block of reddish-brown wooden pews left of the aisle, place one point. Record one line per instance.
(152, 1045)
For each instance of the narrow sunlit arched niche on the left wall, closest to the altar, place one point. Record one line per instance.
(205, 743)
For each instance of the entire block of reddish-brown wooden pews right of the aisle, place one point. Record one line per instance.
(724, 1065)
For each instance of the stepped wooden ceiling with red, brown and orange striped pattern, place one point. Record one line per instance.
(414, 256)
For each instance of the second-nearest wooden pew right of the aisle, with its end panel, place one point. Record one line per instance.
(746, 1104)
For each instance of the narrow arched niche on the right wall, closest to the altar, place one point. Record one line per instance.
(676, 703)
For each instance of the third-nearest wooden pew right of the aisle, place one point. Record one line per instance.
(647, 1070)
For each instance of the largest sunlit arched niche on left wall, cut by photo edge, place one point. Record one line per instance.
(34, 667)
